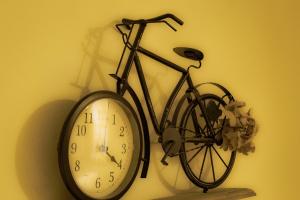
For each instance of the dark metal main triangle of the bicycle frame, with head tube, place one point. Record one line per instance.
(134, 57)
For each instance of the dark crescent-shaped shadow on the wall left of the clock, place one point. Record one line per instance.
(36, 156)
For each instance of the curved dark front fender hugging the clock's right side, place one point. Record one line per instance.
(146, 157)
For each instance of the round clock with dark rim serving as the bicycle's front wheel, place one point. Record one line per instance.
(100, 147)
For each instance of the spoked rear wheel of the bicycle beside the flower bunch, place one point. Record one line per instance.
(205, 163)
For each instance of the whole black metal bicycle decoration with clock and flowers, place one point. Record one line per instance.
(104, 140)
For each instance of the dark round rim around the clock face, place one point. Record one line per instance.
(63, 148)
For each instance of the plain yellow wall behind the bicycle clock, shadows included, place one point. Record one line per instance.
(251, 47)
